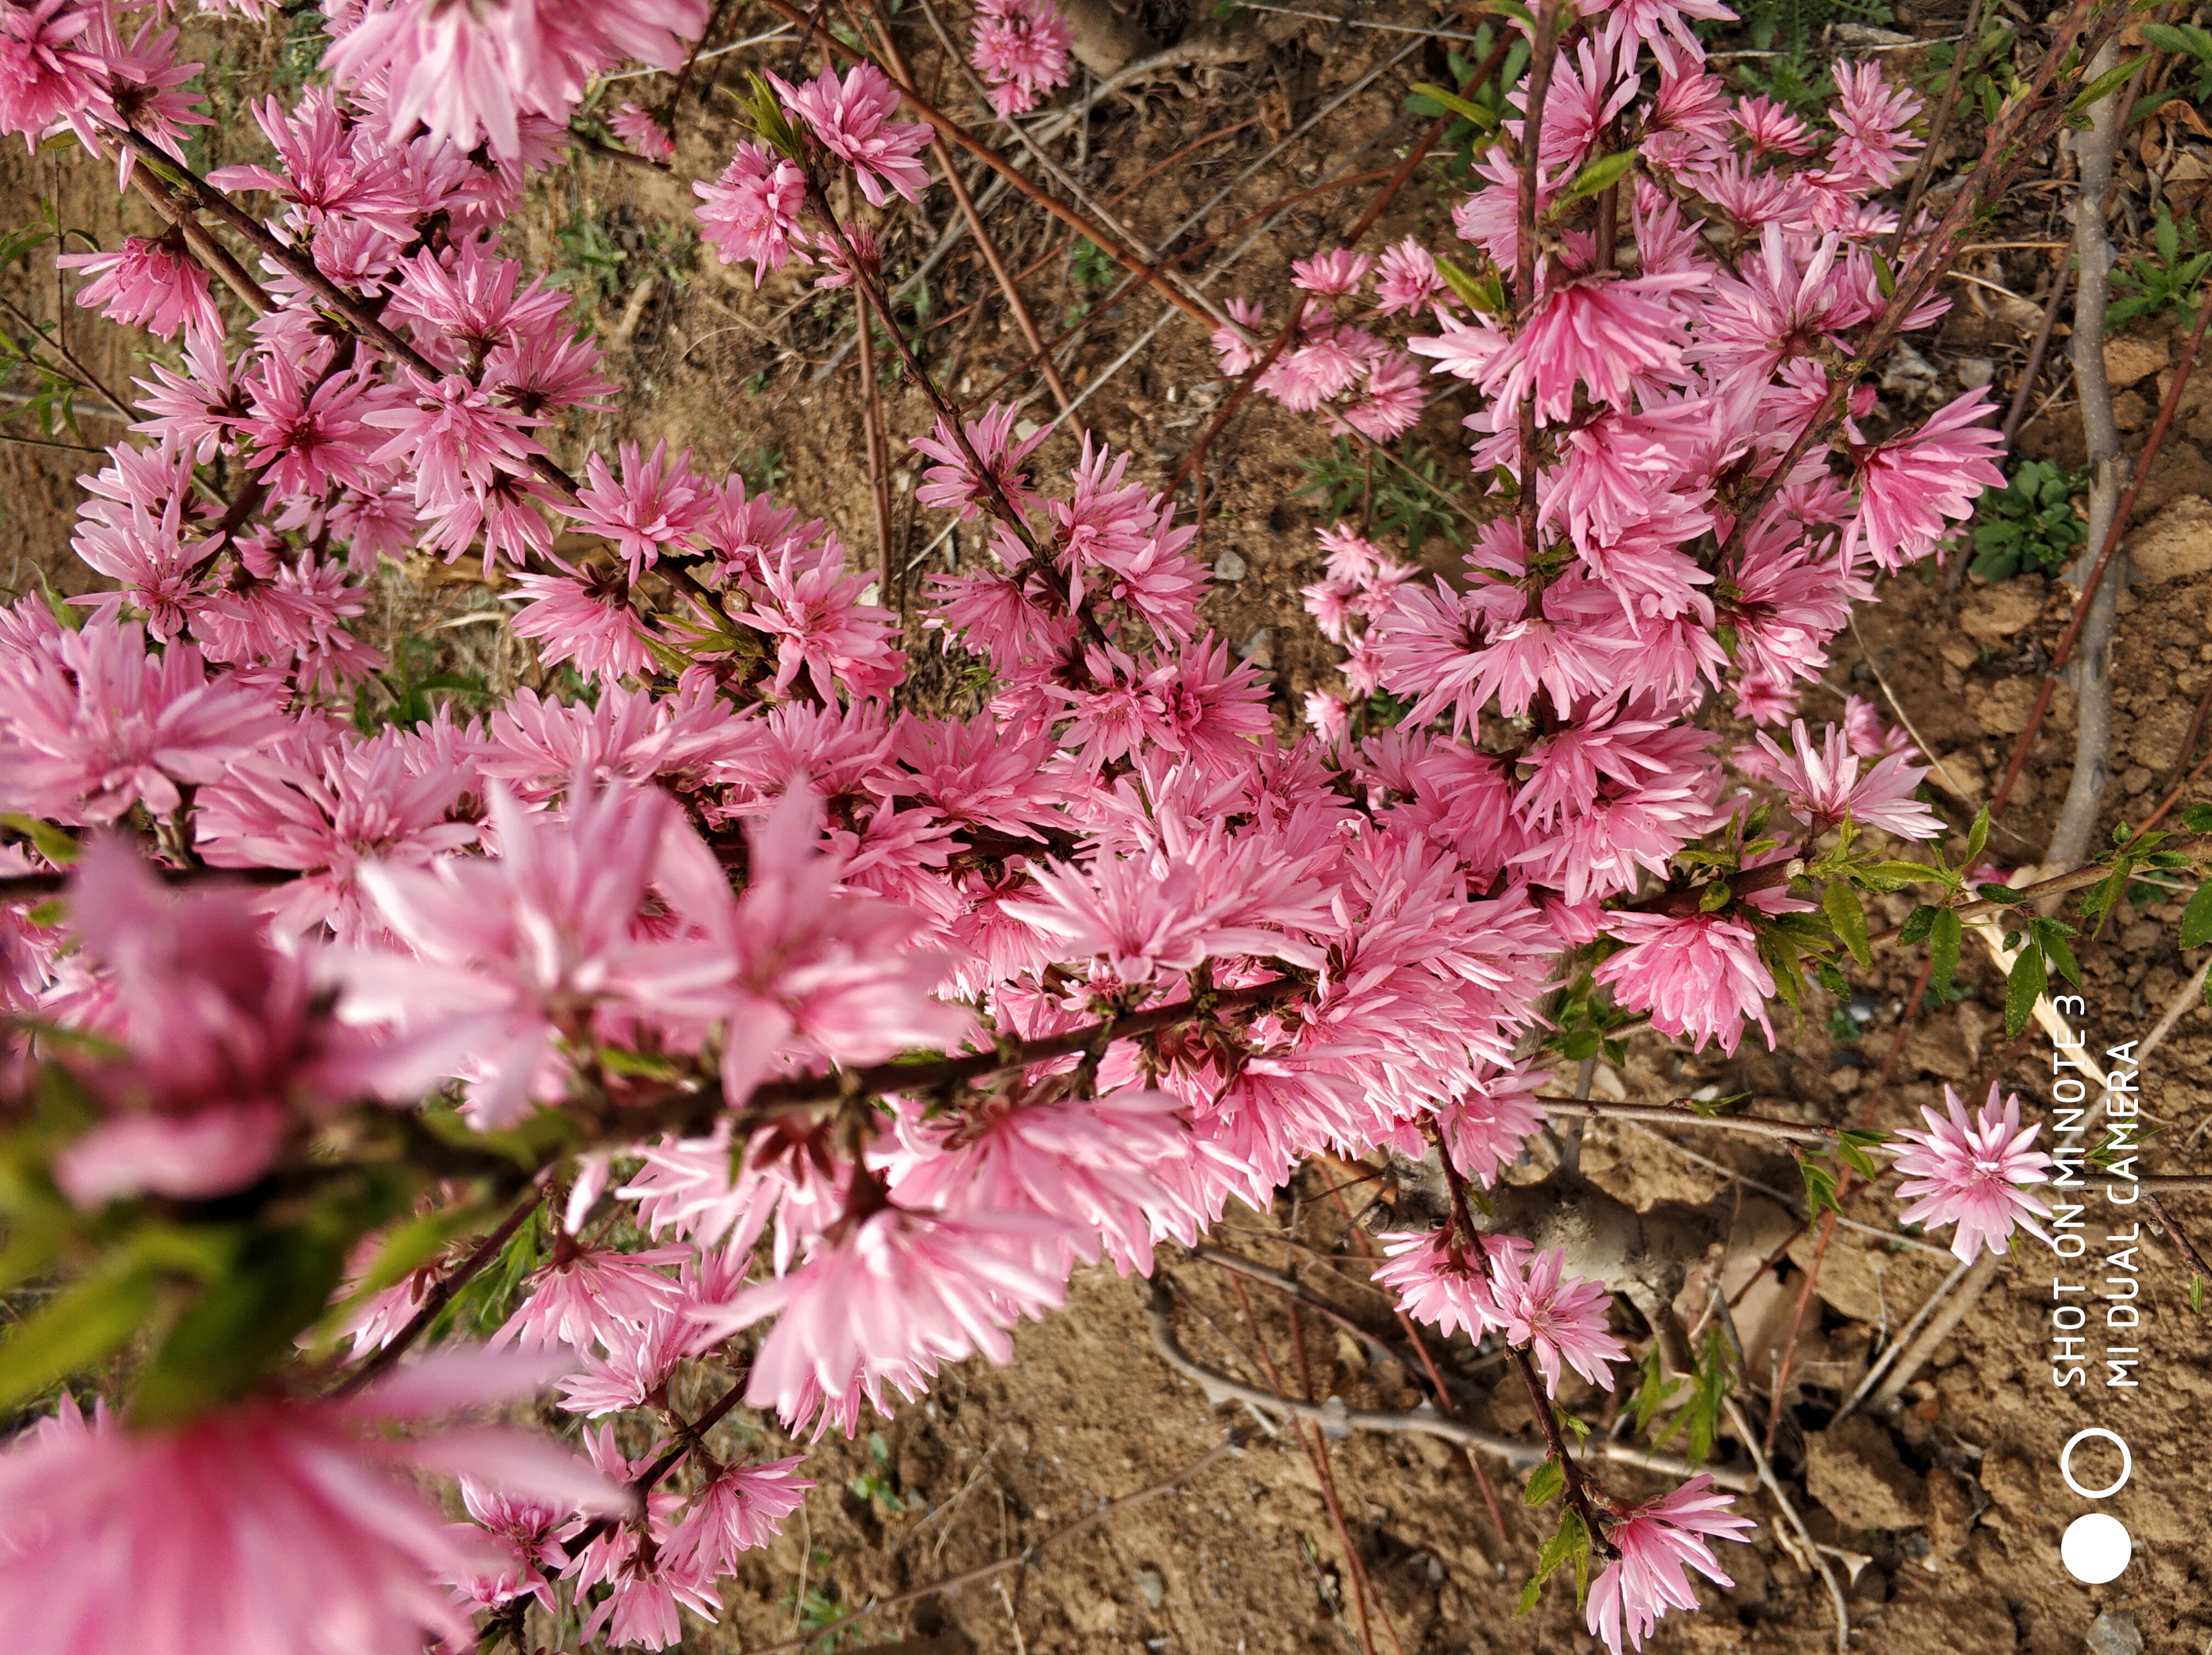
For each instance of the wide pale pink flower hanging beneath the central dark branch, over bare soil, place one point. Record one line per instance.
(884, 1302)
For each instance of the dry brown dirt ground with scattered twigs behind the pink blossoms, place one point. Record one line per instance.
(1948, 1512)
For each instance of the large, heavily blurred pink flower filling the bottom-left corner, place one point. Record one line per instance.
(271, 1526)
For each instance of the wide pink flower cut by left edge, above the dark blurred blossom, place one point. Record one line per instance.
(96, 725)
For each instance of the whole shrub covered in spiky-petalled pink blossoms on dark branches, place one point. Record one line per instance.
(873, 1023)
